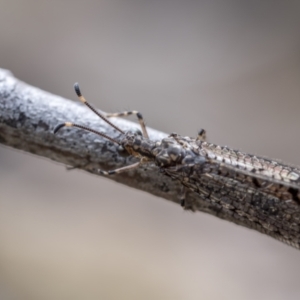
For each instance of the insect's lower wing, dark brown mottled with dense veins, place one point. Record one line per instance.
(233, 192)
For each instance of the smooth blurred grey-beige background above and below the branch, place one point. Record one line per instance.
(231, 67)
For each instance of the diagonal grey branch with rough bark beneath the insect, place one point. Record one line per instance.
(28, 116)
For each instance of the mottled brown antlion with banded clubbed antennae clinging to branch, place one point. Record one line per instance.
(259, 193)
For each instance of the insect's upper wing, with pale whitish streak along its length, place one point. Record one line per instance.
(269, 176)
